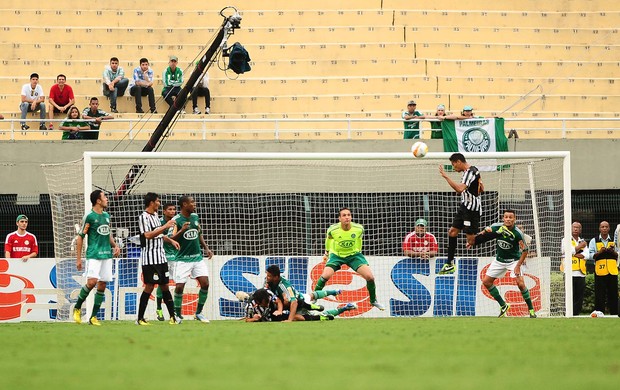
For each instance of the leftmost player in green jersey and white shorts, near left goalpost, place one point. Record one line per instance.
(101, 247)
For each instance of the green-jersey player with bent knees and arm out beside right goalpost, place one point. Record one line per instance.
(511, 253)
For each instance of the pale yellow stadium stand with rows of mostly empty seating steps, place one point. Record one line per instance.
(335, 59)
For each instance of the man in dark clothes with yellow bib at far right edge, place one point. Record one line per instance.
(603, 252)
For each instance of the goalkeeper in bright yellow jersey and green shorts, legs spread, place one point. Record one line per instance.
(343, 246)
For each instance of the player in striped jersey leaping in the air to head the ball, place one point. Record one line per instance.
(467, 218)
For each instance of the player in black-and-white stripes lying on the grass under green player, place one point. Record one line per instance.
(261, 305)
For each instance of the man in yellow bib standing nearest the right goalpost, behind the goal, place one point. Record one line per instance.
(580, 253)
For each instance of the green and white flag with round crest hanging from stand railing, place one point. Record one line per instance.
(476, 135)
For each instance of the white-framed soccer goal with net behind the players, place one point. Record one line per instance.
(258, 209)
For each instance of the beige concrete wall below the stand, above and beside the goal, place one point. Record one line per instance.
(21, 171)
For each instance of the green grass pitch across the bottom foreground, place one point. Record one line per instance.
(398, 353)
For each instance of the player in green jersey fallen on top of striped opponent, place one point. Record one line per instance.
(292, 300)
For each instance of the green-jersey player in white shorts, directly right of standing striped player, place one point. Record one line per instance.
(189, 261)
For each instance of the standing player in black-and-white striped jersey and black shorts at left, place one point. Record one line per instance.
(153, 257)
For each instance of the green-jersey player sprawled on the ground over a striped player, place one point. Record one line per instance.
(298, 304)
